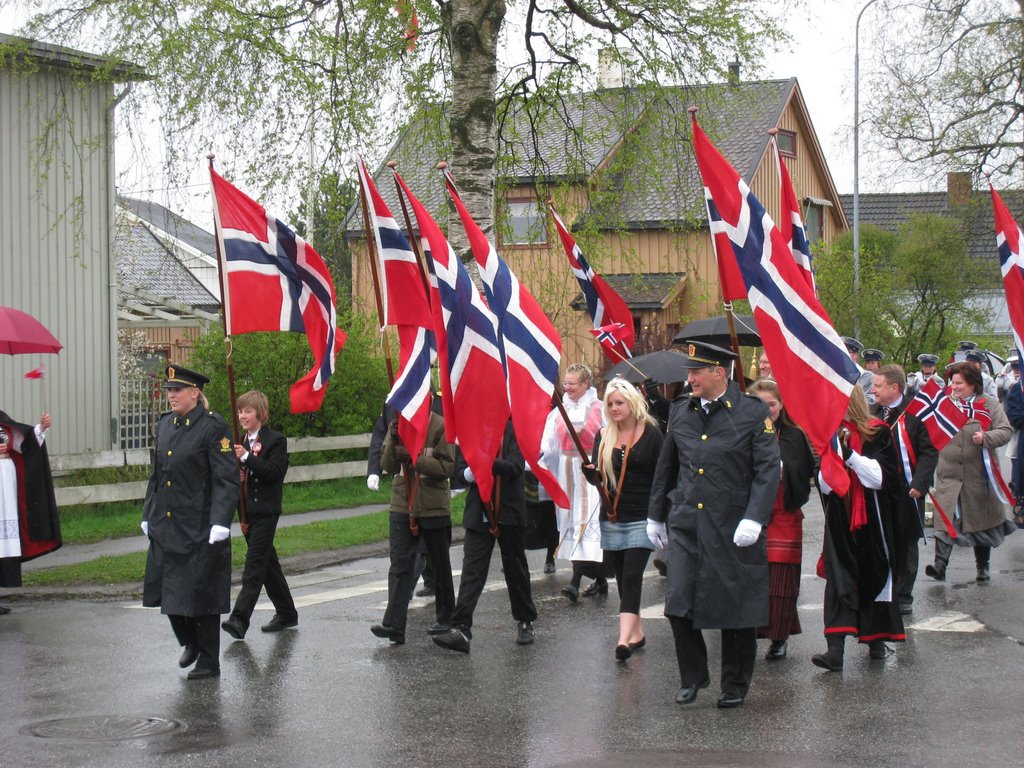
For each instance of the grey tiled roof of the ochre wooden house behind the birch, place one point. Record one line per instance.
(613, 135)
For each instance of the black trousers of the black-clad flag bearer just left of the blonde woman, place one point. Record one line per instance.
(478, 548)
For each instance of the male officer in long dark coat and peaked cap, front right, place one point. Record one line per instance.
(715, 485)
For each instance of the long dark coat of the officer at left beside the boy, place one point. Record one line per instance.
(194, 486)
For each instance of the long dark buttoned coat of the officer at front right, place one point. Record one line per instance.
(714, 472)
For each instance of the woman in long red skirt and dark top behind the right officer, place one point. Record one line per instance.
(786, 529)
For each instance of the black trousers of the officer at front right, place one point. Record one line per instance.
(740, 650)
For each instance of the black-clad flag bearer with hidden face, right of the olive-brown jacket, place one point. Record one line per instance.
(509, 503)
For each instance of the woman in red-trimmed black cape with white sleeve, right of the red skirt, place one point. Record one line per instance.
(860, 541)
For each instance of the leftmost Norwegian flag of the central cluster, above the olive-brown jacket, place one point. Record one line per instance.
(405, 305)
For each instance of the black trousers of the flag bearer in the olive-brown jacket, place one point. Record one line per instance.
(403, 572)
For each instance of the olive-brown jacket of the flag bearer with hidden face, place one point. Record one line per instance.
(434, 467)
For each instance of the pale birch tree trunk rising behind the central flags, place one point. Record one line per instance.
(474, 27)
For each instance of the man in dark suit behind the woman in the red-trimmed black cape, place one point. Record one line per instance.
(890, 382)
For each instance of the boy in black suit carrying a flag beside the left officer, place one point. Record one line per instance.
(264, 455)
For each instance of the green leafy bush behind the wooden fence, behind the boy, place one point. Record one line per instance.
(273, 362)
